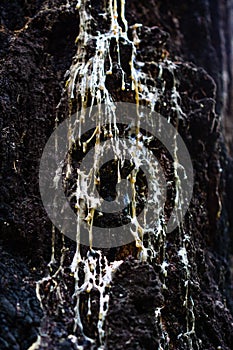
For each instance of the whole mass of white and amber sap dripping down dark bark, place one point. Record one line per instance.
(87, 77)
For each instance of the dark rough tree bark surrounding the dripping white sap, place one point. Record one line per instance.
(37, 44)
